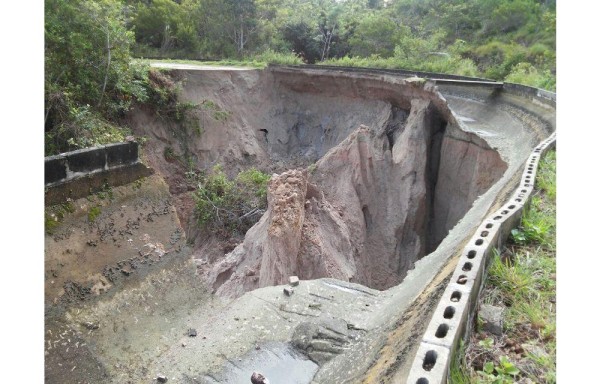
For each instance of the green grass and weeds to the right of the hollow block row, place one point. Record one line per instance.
(523, 281)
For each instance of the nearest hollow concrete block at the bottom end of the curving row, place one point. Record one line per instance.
(431, 365)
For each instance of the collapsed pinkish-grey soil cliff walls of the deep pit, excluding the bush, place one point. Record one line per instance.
(382, 172)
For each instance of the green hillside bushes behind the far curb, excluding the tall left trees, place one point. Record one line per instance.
(509, 39)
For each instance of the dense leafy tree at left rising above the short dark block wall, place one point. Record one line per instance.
(87, 65)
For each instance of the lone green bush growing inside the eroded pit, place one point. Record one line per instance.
(230, 206)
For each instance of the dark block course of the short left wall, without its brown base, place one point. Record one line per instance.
(70, 165)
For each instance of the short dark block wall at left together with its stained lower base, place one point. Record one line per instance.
(77, 174)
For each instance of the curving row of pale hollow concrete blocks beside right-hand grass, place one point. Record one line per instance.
(454, 314)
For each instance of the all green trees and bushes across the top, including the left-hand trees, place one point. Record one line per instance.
(91, 80)
